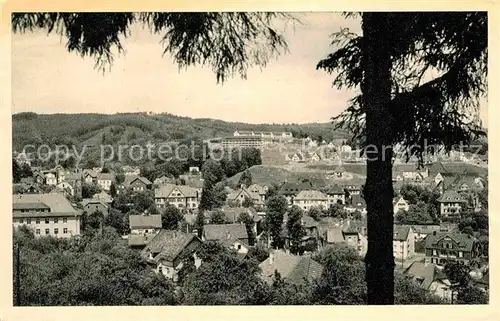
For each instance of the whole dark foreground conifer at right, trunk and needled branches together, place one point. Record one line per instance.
(392, 63)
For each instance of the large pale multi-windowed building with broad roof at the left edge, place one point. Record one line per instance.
(46, 214)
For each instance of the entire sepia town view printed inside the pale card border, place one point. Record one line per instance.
(249, 158)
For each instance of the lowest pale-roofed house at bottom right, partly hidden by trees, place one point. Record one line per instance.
(431, 278)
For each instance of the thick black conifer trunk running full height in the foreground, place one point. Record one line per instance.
(378, 191)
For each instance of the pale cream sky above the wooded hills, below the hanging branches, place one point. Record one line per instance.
(46, 78)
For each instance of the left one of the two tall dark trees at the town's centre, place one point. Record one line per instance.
(276, 209)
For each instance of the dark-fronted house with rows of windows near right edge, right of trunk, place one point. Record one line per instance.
(441, 247)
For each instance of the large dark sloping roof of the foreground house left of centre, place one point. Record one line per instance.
(167, 245)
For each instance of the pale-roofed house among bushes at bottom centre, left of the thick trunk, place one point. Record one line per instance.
(292, 268)
